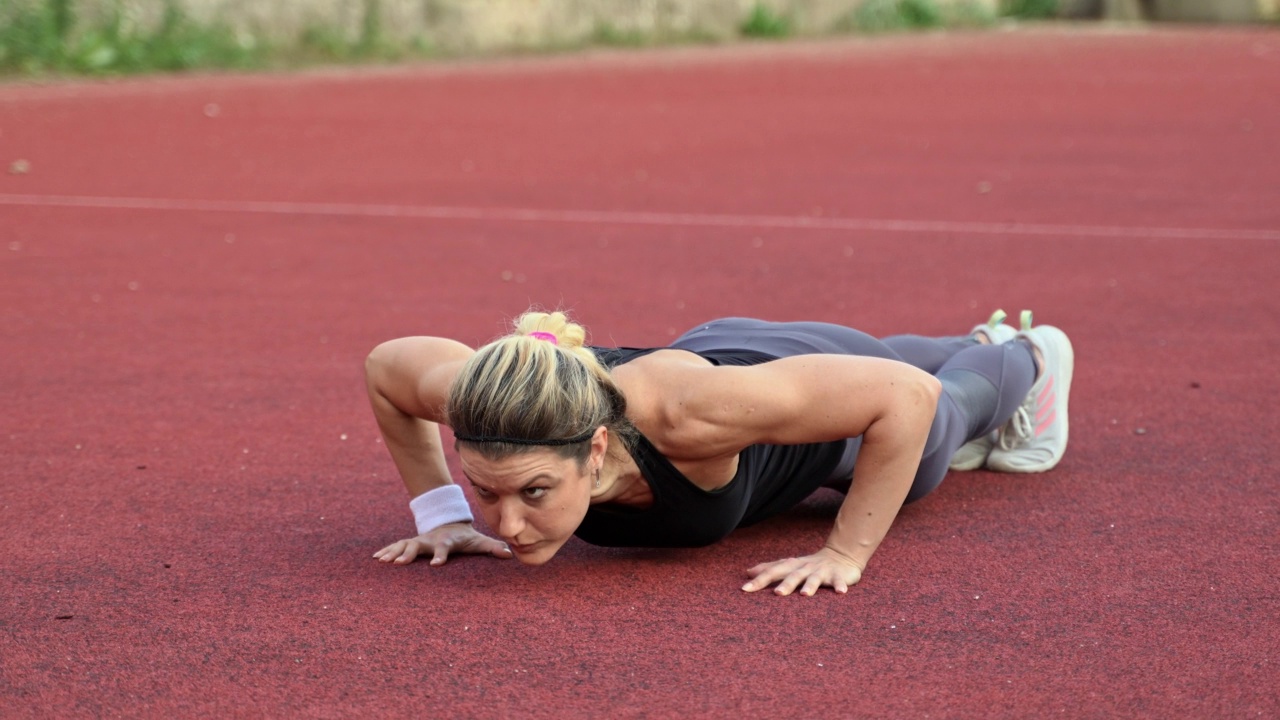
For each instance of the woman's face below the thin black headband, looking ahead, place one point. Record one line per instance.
(534, 500)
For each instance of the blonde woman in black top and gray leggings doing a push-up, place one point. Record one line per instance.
(735, 422)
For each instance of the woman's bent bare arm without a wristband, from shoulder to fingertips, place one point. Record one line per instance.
(817, 399)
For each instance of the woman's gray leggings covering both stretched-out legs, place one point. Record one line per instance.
(982, 385)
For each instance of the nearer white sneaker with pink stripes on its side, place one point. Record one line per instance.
(1035, 439)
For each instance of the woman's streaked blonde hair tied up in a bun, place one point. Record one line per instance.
(537, 388)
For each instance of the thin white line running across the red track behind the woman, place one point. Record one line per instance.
(628, 218)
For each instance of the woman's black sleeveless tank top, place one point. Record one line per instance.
(771, 479)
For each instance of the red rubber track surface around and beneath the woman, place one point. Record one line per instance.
(193, 272)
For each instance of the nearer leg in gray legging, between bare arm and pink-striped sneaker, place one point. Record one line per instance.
(982, 388)
